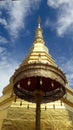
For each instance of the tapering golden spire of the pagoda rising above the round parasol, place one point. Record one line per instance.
(38, 52)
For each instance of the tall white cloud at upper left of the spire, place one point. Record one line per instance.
(17, 14)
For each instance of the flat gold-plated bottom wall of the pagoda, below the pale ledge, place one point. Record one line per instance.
(20, 118)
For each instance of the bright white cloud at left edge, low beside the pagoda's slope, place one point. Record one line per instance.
(6, 71)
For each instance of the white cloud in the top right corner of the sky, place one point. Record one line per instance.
(65, 15)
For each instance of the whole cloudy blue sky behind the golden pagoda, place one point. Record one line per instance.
(18, 21)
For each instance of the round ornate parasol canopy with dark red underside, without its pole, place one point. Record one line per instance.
(39, 79)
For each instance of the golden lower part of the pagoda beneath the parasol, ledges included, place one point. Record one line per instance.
(19, 114)
